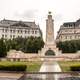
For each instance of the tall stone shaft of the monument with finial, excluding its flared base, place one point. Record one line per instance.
(49, 29)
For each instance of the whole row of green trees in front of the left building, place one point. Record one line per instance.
(27, 45)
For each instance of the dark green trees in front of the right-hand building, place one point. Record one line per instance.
(69, 46)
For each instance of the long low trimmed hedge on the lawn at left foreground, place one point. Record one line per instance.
(12, 67)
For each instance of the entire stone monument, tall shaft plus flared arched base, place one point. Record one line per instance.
(50, 42)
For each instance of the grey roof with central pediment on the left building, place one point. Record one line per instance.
(6, 22)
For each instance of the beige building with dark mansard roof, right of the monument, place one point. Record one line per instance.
(69, 31)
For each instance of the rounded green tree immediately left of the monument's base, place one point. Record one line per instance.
(32, 44)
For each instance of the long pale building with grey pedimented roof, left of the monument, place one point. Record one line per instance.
(10, 29)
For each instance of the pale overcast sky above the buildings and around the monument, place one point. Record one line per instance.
(37, 10)
